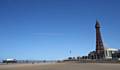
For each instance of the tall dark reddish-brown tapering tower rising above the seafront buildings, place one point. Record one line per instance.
(99, 42)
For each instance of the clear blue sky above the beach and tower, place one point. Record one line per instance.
(49, 29)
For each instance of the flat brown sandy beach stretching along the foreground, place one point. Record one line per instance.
(61, 66)
